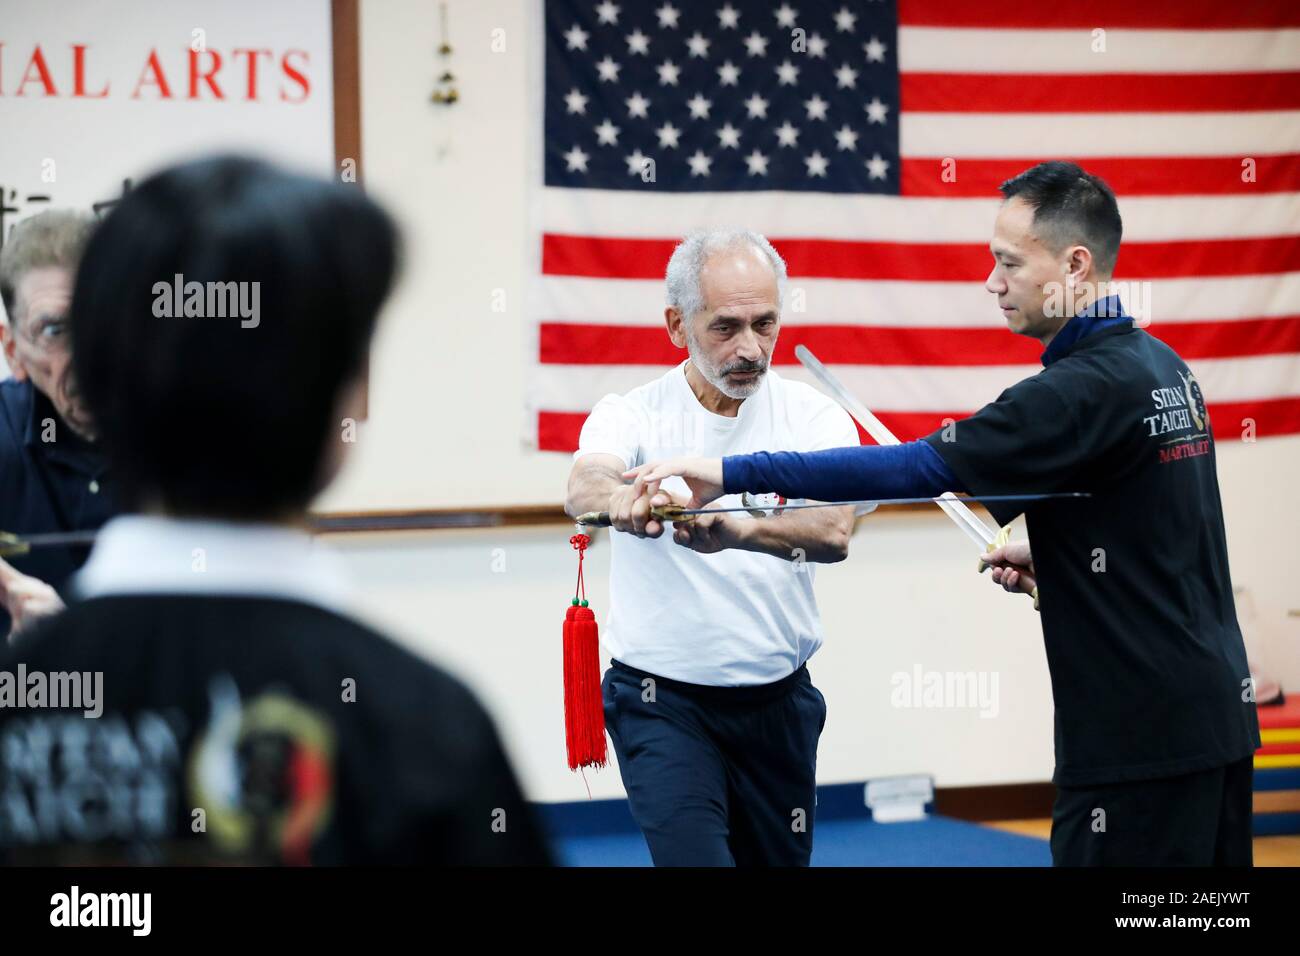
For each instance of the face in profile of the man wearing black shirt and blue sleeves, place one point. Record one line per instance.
(1022, 267)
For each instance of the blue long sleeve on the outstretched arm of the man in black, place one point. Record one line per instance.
(913, 470)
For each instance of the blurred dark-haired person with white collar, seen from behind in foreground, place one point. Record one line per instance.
(206, 698)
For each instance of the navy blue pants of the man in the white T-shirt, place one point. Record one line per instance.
(718, 776)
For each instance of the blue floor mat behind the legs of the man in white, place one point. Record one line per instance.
(850, 842)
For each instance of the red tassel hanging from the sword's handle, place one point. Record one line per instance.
(584, 706)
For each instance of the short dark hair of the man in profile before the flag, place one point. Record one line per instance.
(1072, 207)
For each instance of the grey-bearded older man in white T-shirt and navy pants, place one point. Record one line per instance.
(708, 700)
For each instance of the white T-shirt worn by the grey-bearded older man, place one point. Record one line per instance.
(731, 618)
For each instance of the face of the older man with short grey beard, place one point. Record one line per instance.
(731, 341)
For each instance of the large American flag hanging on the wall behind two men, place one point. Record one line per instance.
(868, 141)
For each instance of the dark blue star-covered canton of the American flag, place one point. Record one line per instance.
(704, 97)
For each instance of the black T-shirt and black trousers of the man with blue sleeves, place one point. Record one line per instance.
(1155, 717)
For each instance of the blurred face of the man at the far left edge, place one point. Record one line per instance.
(36, 344)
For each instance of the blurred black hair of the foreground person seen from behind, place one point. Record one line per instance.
(203, 416)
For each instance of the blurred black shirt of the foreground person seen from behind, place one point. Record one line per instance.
(249, 730)
